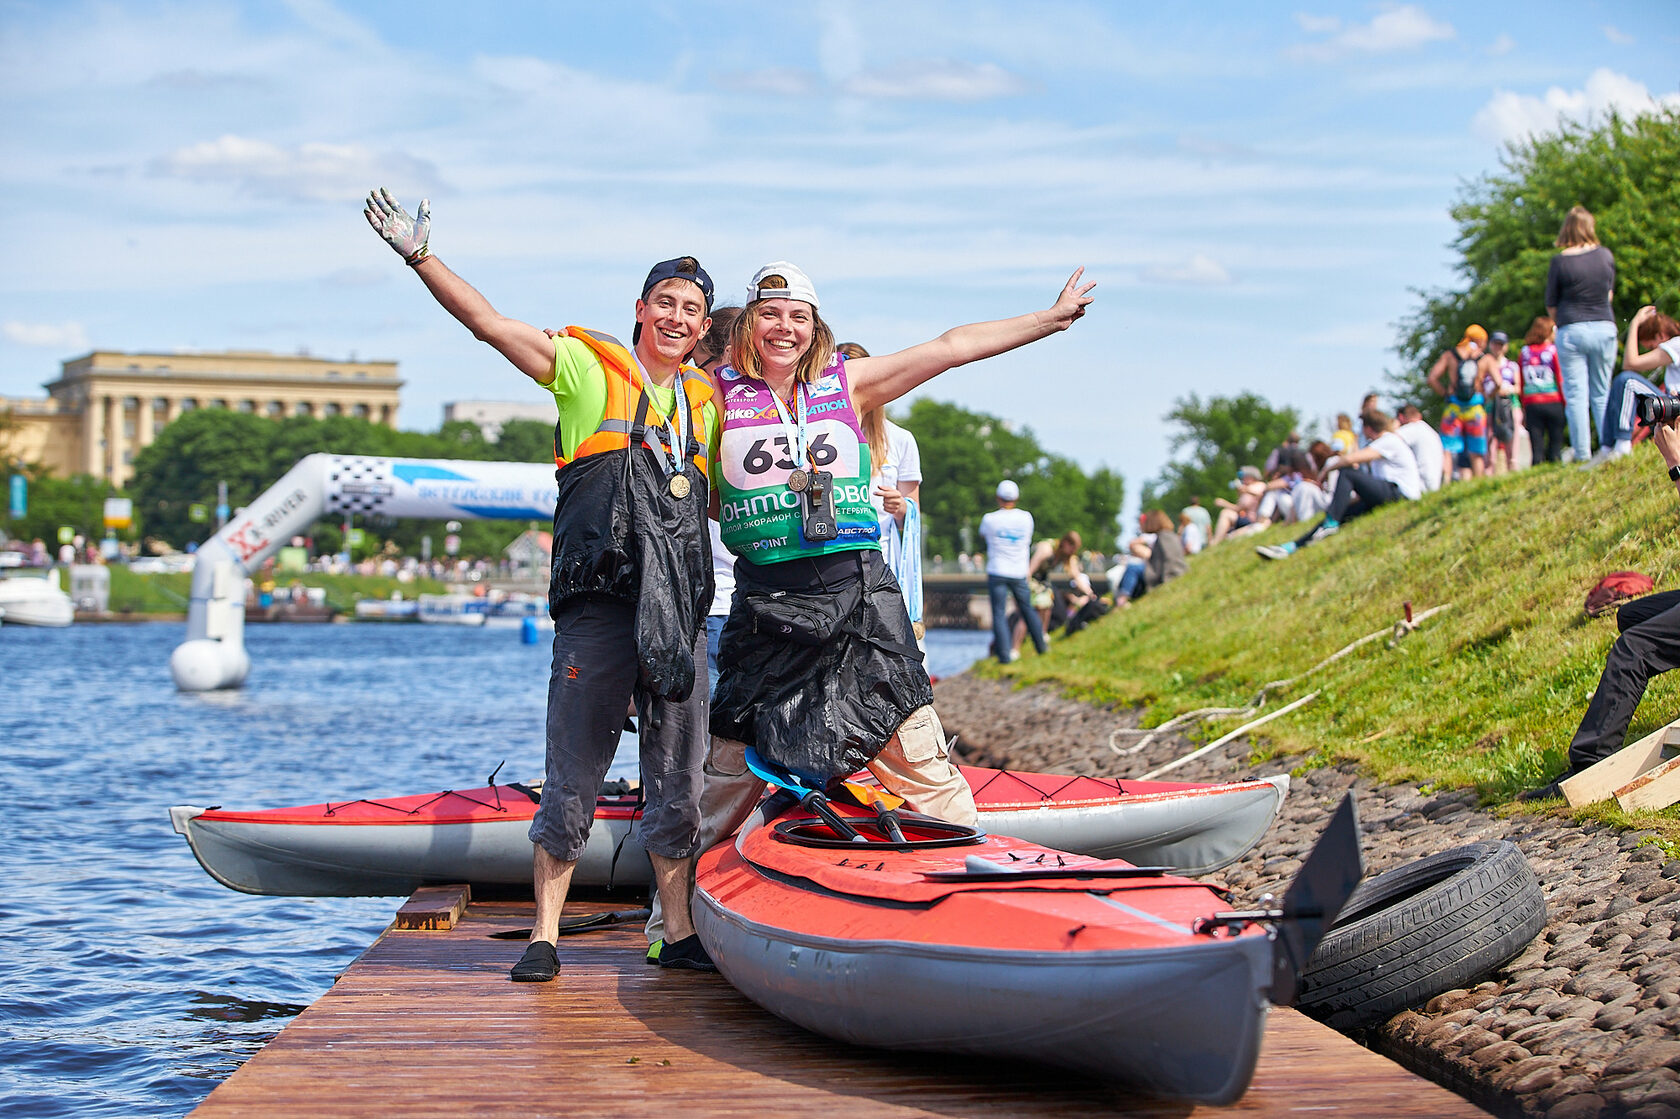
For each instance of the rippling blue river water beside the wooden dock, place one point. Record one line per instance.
(132, 982)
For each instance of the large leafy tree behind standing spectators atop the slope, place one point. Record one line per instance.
(1622, 171)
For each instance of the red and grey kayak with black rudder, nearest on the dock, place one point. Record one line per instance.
(1007, 950)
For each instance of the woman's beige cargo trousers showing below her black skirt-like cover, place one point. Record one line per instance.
(915, 765)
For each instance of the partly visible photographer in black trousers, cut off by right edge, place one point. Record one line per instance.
(1649, 644)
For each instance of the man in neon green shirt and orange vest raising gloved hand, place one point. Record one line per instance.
(631, 579)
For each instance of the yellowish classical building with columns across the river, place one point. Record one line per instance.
(107, 406)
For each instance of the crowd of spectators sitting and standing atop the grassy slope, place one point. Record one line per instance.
(1499, 412)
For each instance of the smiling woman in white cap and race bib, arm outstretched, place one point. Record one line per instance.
(819, 666)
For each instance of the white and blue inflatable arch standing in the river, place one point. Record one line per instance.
(214, 653)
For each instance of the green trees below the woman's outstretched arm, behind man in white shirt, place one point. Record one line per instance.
(965, 456)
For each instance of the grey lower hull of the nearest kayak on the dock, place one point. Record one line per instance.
(1182, 1022)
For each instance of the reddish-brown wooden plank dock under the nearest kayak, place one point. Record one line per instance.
(428, 1022)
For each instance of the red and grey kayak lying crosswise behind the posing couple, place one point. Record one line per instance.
(394, 846)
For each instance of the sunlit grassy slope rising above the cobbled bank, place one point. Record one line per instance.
(1484, 695)
